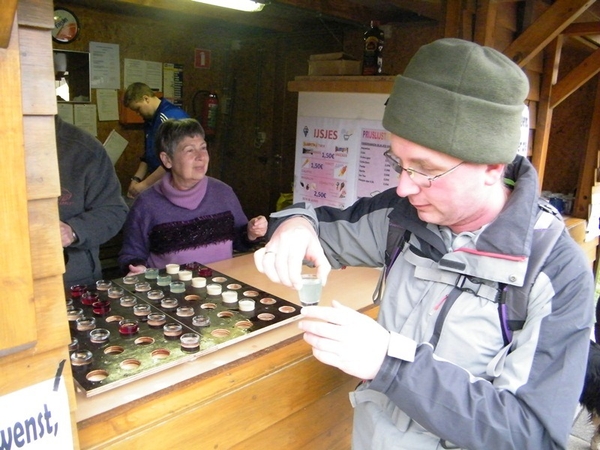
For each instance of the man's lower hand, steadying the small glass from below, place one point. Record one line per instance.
(345, 339)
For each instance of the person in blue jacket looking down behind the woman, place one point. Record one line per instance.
(140, 98)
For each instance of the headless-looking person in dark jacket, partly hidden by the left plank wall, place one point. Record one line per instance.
(90, 206)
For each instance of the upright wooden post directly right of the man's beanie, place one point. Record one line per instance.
(544, 118)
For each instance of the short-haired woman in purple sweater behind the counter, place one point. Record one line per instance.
(186, 216)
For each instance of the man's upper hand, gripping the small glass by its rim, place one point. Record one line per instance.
(281, 259)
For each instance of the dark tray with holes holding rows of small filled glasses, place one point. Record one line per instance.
(132, 327)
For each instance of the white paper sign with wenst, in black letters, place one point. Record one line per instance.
(36, 418)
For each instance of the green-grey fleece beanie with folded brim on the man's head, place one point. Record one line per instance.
(461, 99)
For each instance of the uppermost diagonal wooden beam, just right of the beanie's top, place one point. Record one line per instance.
(550, 24)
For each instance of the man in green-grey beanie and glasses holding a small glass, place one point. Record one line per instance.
(438, 370)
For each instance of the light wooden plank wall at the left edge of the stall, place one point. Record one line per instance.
(30, 187)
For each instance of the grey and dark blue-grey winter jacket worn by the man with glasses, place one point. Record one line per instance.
(467, 391)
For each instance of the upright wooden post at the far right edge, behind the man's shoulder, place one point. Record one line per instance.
(589, 165)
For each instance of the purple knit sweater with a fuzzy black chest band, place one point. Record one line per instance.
(166, 225)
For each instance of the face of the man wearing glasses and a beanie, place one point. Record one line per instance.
(458, 199)
